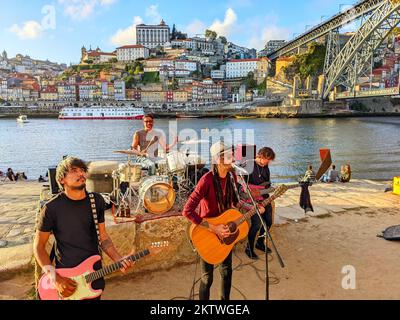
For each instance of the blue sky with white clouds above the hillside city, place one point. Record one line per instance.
(57, 29)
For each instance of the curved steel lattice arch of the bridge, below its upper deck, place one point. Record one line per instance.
(354, 57)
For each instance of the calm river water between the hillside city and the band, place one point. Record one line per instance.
(370, 145)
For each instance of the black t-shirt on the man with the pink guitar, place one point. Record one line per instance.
(73, 227)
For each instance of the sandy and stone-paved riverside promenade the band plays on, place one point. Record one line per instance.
(315, 247)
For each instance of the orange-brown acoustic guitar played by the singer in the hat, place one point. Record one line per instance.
(213, 249)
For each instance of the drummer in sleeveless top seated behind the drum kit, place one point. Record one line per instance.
(147, 142)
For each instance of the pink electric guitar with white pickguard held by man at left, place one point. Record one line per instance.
(84, 275)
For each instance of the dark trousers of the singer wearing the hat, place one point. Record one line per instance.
(207, 276)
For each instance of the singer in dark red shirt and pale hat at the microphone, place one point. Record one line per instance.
(216, 192)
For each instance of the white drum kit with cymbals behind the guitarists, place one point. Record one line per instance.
(136, 192)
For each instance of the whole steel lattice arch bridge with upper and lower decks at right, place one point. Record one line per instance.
(345, 64)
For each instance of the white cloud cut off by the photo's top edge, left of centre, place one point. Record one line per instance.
(82, 9)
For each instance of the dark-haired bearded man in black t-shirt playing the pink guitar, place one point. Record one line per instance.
(69, 217)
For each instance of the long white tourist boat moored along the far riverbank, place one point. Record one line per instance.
(102, 113)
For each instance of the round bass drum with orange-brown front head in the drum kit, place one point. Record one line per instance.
(157, 194)
